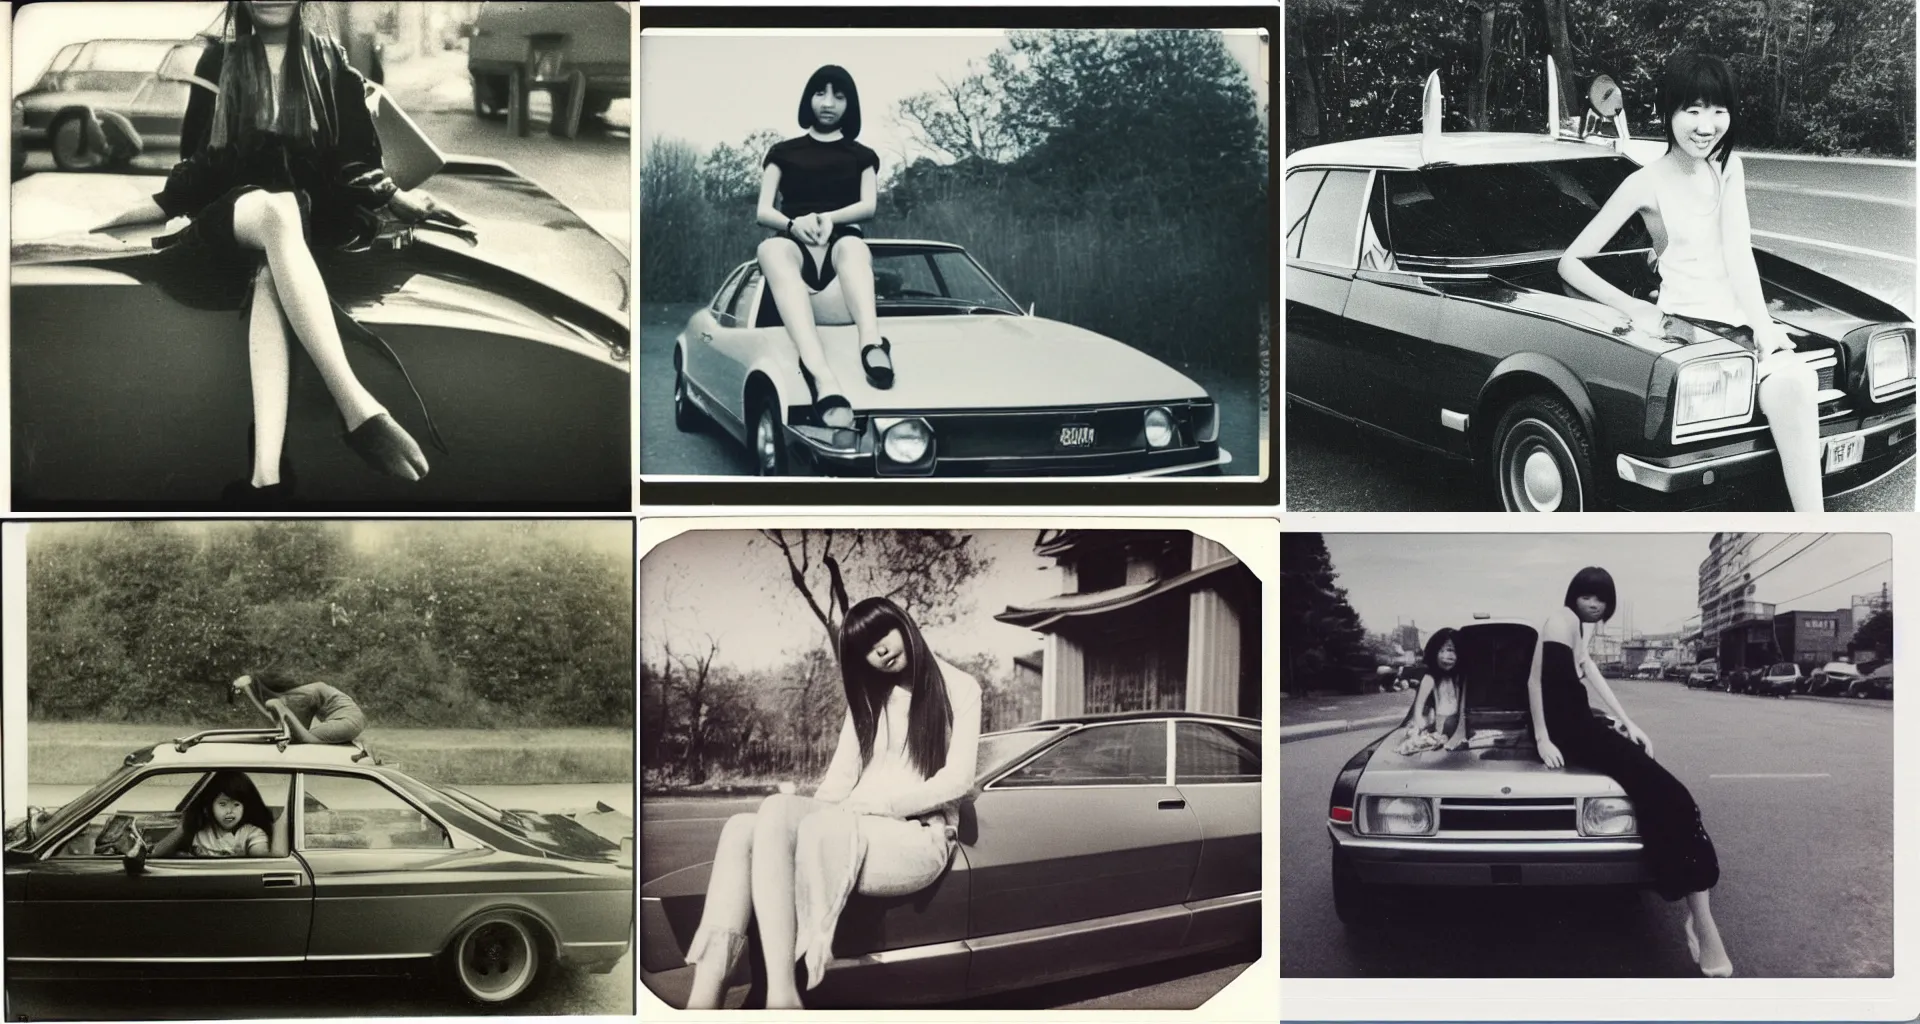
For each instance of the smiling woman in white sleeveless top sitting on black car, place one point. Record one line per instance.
(1694, 203)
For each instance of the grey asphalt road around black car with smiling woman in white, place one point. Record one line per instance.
(1848, 220)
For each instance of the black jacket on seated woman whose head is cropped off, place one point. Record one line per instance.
(339, 174)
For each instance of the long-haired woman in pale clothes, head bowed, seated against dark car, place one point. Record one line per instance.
(882, 821)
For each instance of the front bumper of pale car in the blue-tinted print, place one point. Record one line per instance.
(817, 449)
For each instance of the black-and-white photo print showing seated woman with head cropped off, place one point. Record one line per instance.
(314, 255)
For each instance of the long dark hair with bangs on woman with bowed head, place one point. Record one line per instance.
(930, 718)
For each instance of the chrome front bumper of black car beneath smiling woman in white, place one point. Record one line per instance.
(1708, 477)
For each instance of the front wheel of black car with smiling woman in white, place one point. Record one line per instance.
(1543, 460)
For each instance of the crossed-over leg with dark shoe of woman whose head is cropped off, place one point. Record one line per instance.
(270, 222)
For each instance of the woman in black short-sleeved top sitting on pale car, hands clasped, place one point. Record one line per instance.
(817, 262)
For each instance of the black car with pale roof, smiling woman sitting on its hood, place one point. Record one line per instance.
(1426, 303)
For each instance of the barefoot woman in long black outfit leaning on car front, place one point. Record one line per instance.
(1568, 733)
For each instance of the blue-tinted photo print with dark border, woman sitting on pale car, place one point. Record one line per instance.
(955, 255)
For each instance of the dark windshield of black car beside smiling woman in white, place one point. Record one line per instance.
(1504, 208)
